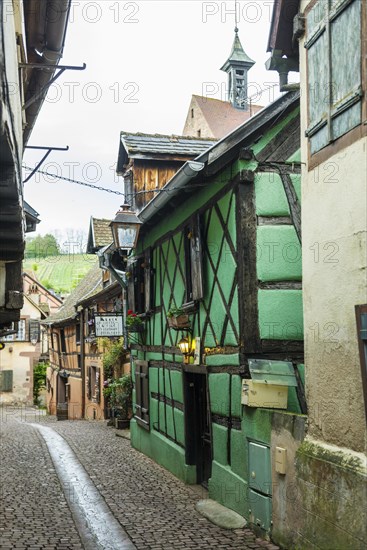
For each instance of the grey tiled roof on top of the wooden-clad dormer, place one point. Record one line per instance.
(162, 144)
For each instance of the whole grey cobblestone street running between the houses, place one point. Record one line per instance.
(155, 510)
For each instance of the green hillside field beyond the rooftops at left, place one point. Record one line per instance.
(60, 273)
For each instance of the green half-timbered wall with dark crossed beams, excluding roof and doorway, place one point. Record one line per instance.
(251, 307)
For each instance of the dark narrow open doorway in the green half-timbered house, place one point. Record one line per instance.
(197, 426)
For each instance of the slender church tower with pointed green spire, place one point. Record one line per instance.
(237, 66)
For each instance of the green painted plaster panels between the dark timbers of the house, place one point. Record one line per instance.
(280, 316)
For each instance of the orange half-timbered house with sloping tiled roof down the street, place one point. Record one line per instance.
(75, 377)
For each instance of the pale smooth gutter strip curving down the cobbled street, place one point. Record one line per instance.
(97, 526)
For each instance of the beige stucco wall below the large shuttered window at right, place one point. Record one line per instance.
(334, 278)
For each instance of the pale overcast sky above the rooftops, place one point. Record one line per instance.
(144, 61)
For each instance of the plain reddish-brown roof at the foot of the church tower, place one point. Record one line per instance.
(221, 116)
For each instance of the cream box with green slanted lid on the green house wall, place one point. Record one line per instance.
(268, 386)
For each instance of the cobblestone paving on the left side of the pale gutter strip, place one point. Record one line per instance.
(34, 512)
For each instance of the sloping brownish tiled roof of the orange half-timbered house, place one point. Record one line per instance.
(91, 284)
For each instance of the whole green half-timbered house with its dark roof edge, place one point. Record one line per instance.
(222, 242)
